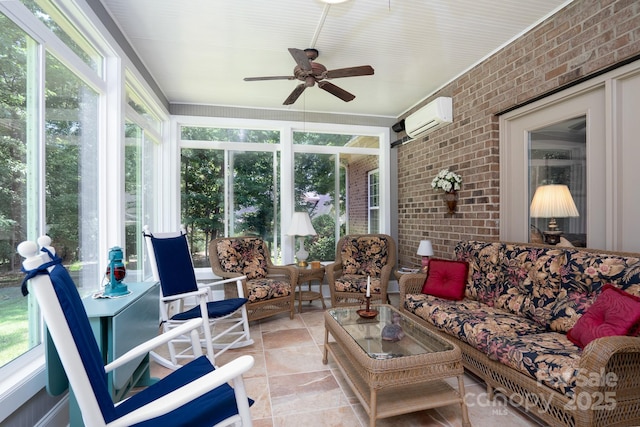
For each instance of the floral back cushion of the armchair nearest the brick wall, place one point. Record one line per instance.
(364, 255)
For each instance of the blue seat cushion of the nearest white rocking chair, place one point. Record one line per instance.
(207, 410)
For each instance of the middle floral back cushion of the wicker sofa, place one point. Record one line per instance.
(531, 280)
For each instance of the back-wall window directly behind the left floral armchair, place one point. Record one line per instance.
(229, 187)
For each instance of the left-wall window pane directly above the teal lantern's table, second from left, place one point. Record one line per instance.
(71, 177)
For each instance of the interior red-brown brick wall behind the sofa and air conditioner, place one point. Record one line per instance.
(583, 38)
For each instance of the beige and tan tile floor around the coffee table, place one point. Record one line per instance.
(292, 387)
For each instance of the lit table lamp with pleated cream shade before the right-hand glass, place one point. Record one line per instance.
(553, 201)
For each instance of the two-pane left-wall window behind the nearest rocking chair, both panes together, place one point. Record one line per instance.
(48, 177)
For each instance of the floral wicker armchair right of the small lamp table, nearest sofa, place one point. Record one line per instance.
(359, 257)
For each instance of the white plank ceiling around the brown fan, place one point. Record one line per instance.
(198, 51)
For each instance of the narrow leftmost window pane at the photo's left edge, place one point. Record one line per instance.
(17, 157)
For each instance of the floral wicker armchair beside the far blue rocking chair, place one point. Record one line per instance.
(270, 289)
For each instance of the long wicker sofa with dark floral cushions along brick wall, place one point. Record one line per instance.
(520, 300)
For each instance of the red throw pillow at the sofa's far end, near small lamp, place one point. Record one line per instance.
(446, 279)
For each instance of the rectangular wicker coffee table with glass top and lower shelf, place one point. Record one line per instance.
(393, 378)
